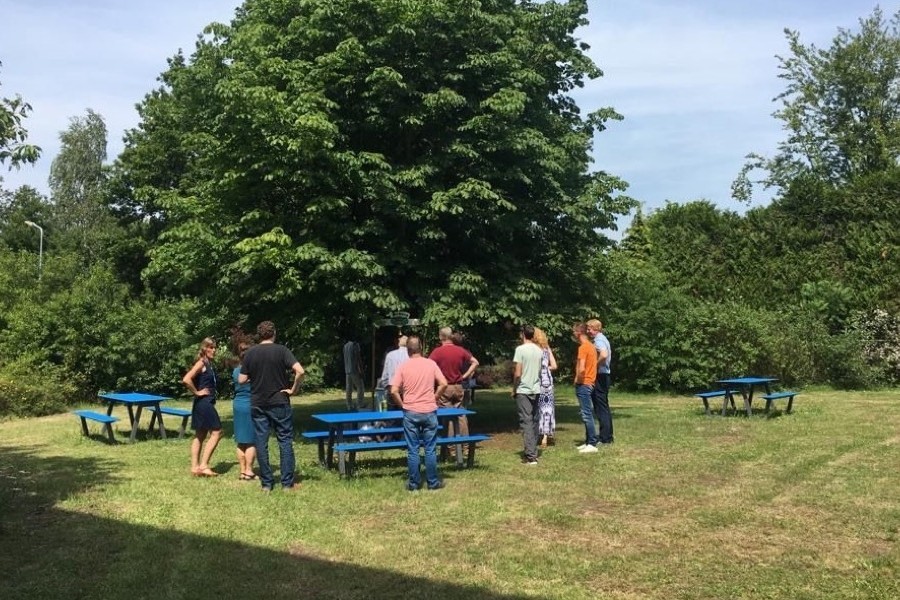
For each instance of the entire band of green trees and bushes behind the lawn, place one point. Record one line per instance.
(324, 163)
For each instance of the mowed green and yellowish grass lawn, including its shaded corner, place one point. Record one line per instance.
(805, 505)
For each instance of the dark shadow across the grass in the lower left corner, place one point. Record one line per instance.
(47, 552)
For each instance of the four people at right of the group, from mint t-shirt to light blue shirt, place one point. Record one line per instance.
(534, 364)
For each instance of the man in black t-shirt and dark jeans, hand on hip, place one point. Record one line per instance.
(265, 366)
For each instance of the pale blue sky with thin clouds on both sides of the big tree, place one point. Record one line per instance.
(694, 79)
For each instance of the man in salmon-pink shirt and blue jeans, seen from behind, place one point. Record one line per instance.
(415, 387)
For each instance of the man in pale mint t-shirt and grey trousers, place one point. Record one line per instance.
(526, 388)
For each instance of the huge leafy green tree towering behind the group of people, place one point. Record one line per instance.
(328, 160)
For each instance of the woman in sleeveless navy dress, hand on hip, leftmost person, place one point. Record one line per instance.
(201, 382)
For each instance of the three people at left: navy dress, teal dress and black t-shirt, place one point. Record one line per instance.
(262, 403)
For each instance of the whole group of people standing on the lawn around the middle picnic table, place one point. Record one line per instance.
(417, 384)
